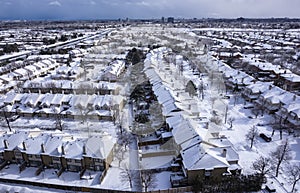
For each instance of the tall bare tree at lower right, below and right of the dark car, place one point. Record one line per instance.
(281, 154)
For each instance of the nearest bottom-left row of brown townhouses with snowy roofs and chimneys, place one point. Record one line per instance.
(56, 150)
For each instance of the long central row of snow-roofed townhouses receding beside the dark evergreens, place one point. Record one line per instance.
(195, 157)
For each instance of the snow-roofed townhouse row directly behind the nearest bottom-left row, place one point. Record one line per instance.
(102, 107)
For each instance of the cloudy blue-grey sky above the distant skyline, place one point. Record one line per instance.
(141, 9)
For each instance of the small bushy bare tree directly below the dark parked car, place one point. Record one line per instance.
(263, 165)
